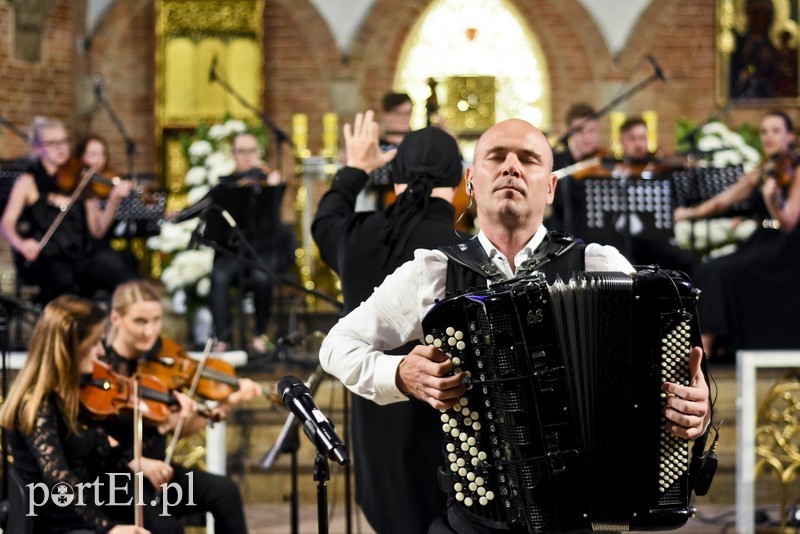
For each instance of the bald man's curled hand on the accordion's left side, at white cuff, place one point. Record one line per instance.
(425, 374)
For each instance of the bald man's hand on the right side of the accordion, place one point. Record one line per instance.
(688, 407)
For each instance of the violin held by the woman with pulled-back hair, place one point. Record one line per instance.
(169, 362)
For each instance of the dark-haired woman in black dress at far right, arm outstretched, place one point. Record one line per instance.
(749, 298)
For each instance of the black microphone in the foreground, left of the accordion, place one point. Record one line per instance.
(297, 398)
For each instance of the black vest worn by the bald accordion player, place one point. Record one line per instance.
(469, 267)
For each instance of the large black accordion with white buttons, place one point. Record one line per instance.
(561, 428)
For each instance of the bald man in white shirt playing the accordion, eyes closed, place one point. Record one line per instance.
(512, 182)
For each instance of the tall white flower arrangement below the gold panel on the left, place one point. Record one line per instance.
(187, 272)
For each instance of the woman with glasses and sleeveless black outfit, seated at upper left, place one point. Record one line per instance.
(71, 260)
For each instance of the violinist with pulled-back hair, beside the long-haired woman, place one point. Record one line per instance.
(136, 319)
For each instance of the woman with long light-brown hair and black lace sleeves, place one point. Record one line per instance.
(48, 439)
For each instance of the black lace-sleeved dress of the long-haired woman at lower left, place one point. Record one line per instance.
(53, 457)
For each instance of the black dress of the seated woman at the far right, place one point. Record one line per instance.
(751, 297)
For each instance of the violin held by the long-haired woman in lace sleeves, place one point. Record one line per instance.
(106, 393)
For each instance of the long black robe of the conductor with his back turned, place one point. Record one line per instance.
(397, 447)
